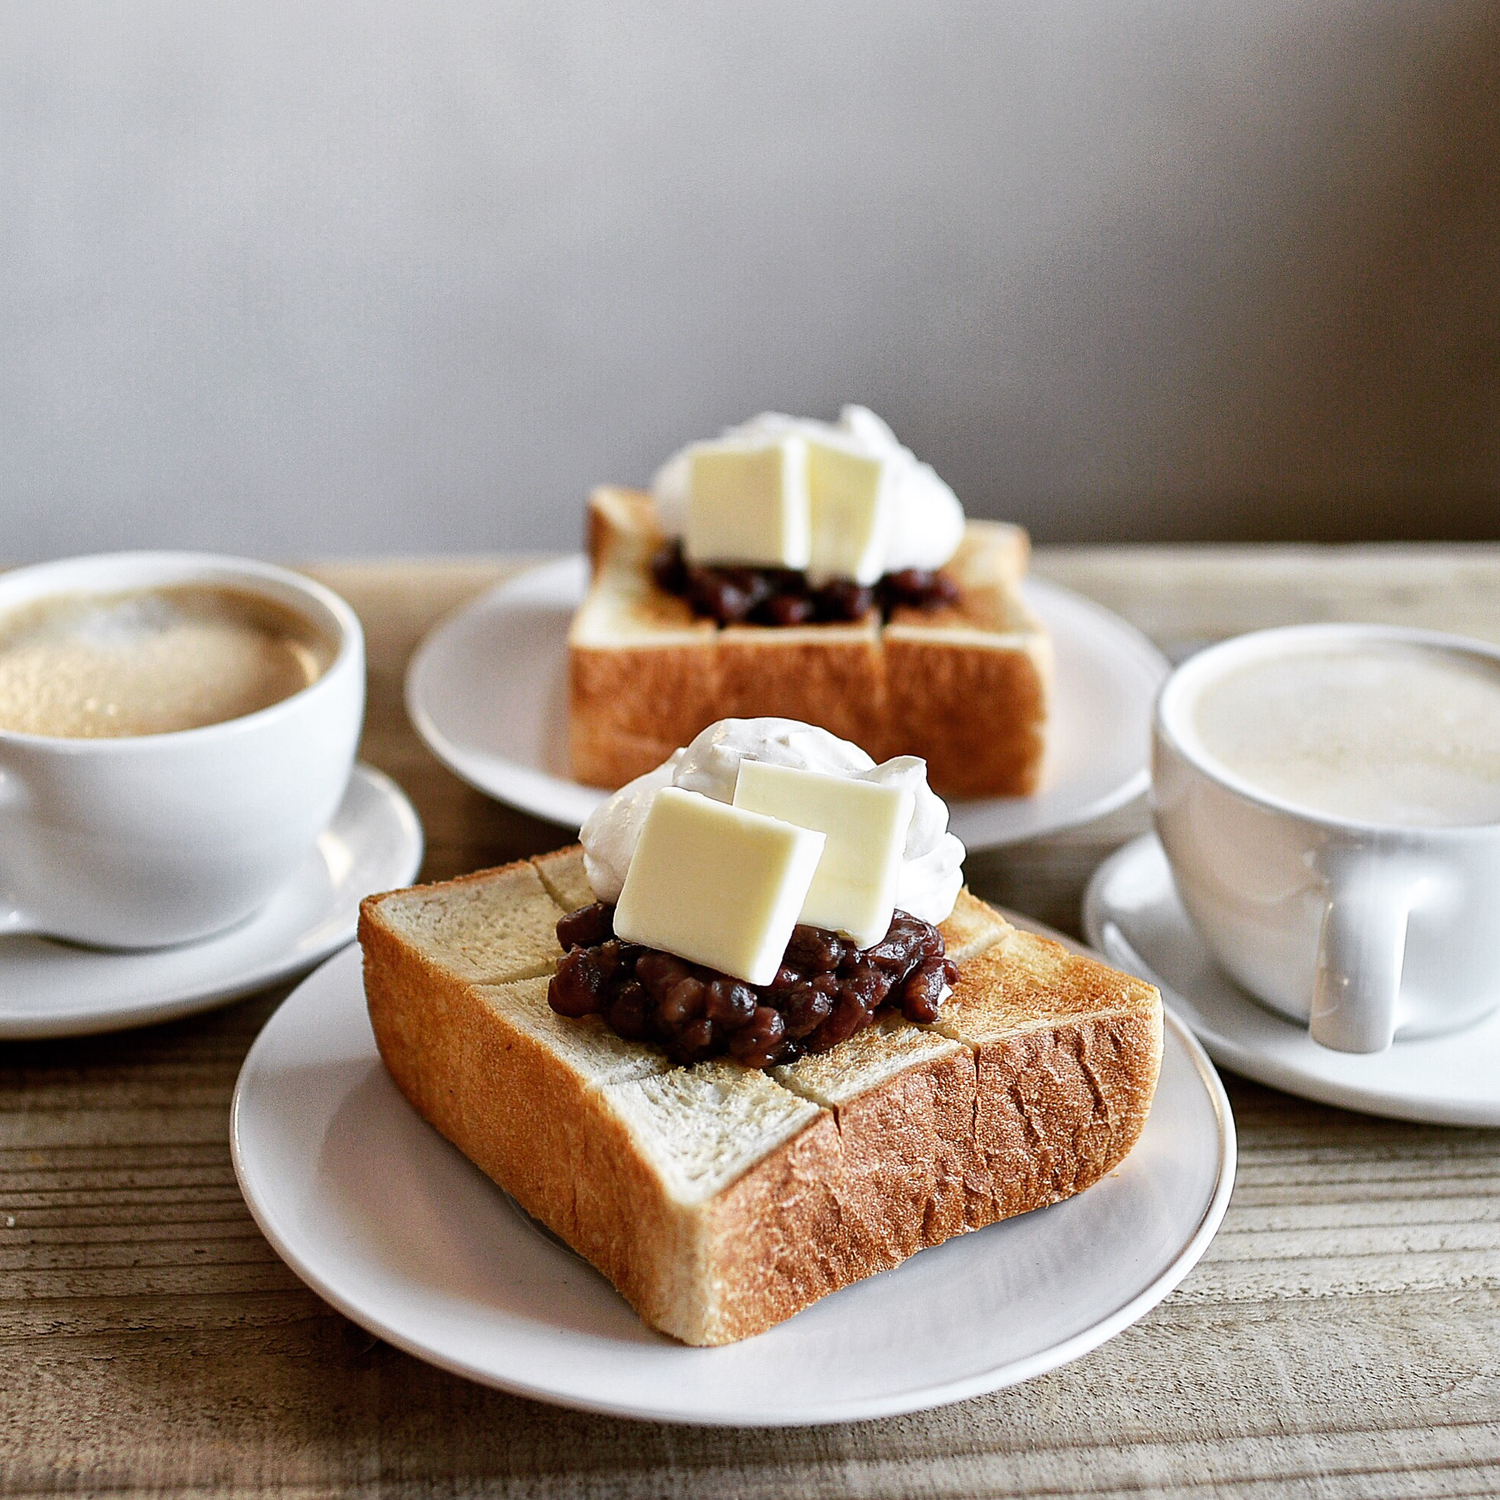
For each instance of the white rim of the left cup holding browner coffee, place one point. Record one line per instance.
(212, 568)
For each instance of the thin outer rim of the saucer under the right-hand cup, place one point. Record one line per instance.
(1420, 1109)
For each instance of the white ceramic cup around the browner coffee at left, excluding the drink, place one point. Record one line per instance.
(146, 841)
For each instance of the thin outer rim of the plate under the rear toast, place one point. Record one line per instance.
(455, 757)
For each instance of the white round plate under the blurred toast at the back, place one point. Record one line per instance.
(488, 694)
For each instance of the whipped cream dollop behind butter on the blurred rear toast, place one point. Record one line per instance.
(928, 520)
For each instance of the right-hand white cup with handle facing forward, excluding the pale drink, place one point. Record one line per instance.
(1364, 931)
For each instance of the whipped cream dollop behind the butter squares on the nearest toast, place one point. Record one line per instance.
(932, 862)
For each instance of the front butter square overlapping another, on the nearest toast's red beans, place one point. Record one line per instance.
(716, 884)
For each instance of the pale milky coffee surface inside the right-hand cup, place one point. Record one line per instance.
(1378, 733)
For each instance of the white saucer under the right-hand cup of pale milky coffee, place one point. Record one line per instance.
(1133, 916)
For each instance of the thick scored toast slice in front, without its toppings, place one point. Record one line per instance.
(722, 1201)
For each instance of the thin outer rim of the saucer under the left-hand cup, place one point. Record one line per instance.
(194, 1000)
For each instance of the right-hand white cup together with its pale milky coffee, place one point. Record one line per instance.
(1348, 889)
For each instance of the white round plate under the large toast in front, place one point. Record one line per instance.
(397, 1229)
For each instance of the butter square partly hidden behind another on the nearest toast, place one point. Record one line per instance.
(866, 826)
